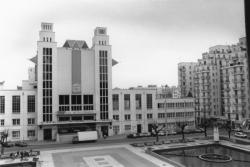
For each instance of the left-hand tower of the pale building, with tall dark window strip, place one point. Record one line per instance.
(46, 80)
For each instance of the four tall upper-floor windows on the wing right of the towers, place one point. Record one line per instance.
(138, 99)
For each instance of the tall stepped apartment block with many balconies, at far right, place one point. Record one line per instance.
(221, 87)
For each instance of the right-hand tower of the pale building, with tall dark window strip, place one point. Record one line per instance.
(103, 74)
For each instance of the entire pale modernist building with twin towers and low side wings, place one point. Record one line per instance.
(70, 90)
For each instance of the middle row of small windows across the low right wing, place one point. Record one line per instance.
(127, 117)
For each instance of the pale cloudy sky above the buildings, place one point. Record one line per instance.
(148, 37)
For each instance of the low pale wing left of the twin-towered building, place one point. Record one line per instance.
(18, 114)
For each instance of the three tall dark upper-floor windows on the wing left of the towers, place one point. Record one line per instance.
(16, 104)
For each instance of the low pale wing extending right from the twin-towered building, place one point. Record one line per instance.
(136, 110)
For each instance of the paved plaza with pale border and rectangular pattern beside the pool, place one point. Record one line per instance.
(105, 156)
